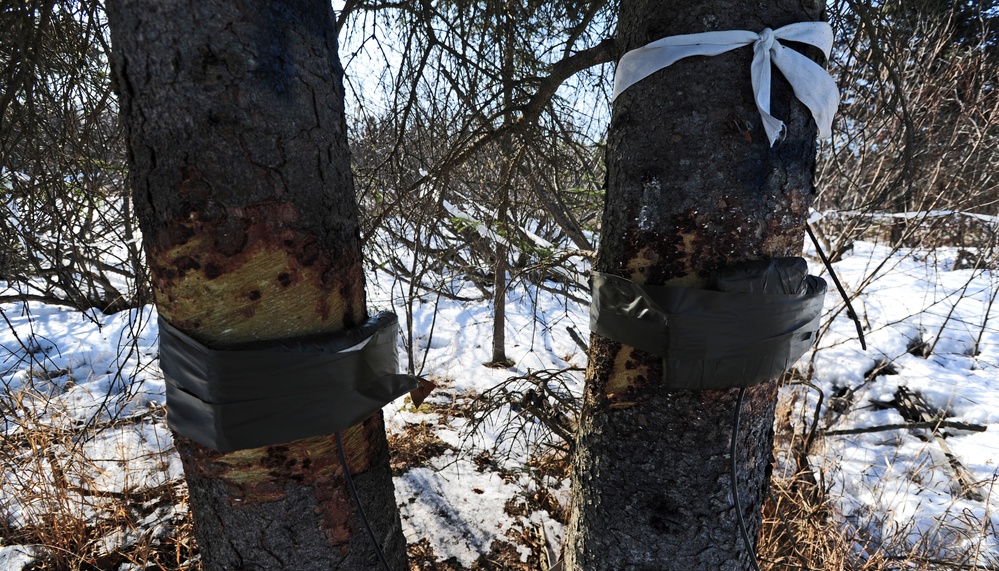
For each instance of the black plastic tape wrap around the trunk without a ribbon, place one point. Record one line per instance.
(279, 391)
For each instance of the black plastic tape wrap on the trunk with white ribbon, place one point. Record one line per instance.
(750, 325)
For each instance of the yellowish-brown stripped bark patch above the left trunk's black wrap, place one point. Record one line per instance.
(263, 280)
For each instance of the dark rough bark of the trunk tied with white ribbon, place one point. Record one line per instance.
(693, 186)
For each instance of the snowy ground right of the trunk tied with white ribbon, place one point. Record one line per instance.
(901, 483)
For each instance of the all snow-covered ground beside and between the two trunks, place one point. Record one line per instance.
(71, 371)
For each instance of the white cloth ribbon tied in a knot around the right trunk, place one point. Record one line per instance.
(811, 83)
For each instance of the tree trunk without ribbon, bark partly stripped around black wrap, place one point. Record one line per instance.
(242, 187)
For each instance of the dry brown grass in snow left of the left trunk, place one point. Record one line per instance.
(88, 499)
